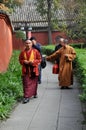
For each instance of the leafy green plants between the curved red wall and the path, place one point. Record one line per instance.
(10, 86)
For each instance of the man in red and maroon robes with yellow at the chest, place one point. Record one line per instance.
(29, 58)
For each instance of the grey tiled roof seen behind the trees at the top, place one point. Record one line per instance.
(27, 14)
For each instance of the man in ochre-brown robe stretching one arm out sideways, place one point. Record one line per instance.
(66, 54)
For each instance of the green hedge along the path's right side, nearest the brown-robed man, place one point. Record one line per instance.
(80, 67)
